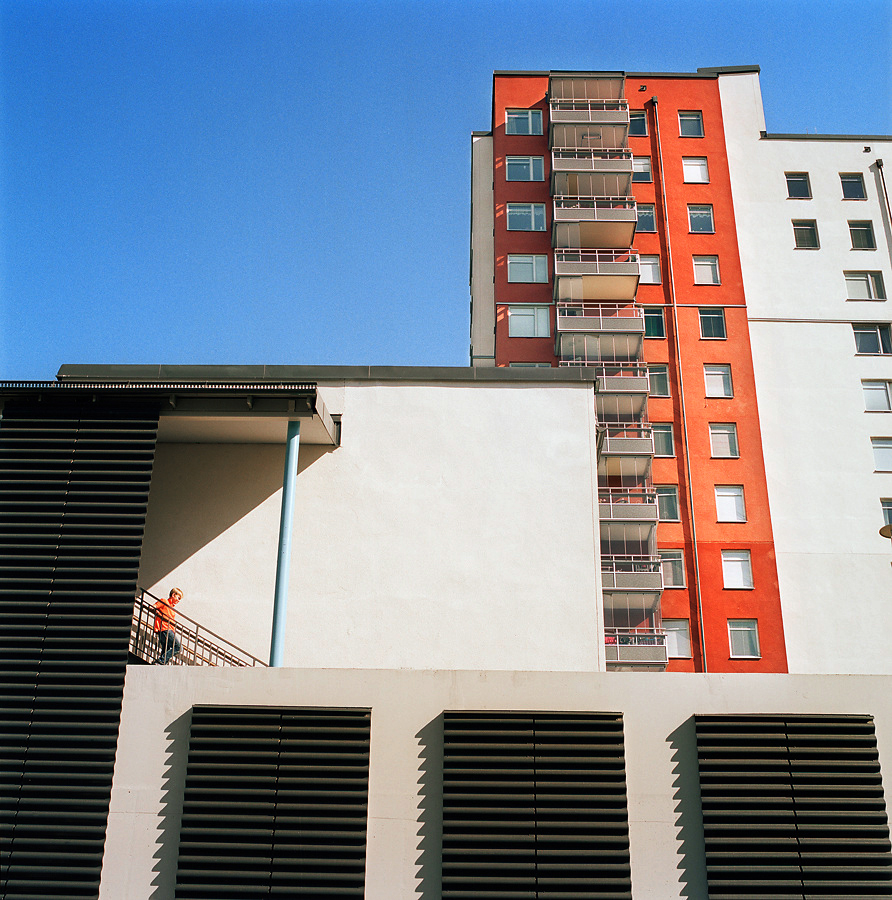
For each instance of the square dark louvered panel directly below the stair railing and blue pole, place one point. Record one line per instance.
(276, 802)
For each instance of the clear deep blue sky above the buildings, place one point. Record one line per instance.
(287, 181)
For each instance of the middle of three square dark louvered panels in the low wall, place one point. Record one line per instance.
(534, 805)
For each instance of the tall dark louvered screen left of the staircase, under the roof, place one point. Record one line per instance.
(74, 483)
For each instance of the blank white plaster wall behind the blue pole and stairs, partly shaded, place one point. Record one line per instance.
(455, 527)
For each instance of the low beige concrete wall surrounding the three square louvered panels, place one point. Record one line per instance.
(405, 781)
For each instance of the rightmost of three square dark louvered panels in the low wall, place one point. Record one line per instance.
(793, 807)
